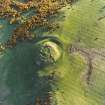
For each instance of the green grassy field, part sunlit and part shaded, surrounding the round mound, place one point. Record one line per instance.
(21, 81)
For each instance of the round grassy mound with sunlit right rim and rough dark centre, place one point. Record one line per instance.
(47, 53)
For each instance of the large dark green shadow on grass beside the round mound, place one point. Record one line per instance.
(22, 78)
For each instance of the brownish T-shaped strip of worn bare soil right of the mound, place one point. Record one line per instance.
(90, 55)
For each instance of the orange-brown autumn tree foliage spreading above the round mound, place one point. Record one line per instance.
(44, 8)
